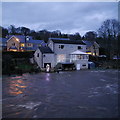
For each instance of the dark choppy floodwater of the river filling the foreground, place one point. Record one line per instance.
(74, 94)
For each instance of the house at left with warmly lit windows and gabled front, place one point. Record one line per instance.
(23, 43)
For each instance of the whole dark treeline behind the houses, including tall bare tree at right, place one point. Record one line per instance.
(107, 36)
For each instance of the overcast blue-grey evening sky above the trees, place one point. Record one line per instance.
(68, 17)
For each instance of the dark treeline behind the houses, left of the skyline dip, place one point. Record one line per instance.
(38, 35)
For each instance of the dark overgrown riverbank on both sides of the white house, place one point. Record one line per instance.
(19, 63)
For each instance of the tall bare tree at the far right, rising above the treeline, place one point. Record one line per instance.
(109, 31)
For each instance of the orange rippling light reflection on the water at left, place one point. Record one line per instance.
(16, 86)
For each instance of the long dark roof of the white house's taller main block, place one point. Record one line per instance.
(68, 41)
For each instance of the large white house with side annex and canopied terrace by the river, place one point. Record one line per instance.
(64, 51)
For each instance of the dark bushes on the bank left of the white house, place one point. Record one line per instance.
(17, 63)
